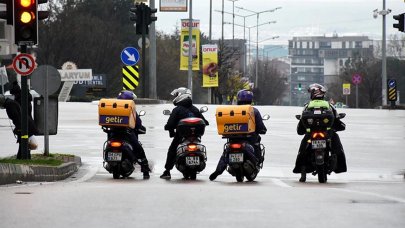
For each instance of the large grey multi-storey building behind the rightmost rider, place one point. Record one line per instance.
(319, 59)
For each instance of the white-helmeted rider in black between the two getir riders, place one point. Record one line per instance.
(184, 109)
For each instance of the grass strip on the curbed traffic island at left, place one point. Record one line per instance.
(38, 159)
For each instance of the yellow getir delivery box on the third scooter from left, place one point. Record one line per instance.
(235, 119)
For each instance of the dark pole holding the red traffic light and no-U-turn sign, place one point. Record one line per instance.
(24, 152)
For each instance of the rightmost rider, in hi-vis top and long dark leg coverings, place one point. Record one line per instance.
(317, 92)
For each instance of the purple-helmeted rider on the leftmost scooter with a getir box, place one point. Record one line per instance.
(138, 149)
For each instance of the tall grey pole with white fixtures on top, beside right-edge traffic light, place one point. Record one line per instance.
(383, 12)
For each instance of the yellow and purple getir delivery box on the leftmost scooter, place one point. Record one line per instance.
(116, 113)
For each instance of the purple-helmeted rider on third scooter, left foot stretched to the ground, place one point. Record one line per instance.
(245, 97)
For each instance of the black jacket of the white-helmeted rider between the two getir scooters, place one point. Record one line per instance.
(184, 109)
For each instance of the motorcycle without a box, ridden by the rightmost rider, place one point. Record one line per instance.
(318, 155)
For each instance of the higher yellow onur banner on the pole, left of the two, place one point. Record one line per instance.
(184, 44)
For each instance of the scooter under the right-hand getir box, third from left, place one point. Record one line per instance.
(240, 156)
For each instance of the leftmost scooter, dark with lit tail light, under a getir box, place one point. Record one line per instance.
(117, 151)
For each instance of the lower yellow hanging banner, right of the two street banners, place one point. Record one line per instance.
(210, 65)
